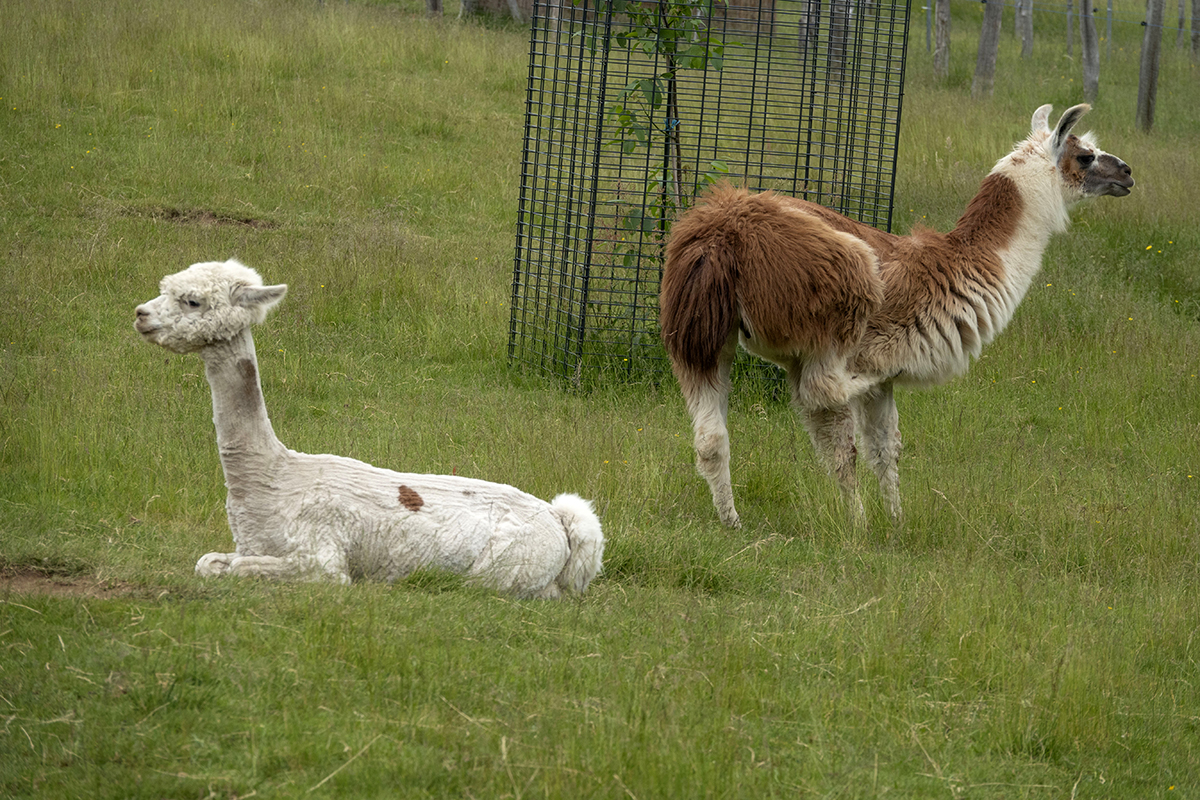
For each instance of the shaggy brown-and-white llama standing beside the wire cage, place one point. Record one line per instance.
(850, 311)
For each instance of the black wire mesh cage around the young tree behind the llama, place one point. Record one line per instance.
(633, 107)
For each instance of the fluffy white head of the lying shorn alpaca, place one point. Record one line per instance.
(206, 304)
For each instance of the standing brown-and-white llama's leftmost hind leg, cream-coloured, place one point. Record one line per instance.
(709, 402)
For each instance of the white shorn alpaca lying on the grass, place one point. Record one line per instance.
(302, 516)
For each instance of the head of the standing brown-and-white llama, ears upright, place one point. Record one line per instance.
(1084, 170)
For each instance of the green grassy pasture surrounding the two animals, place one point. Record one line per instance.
(1029, 633)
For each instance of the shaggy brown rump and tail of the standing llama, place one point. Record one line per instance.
(788, 278)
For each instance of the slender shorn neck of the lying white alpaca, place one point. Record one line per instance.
(244, 430)
